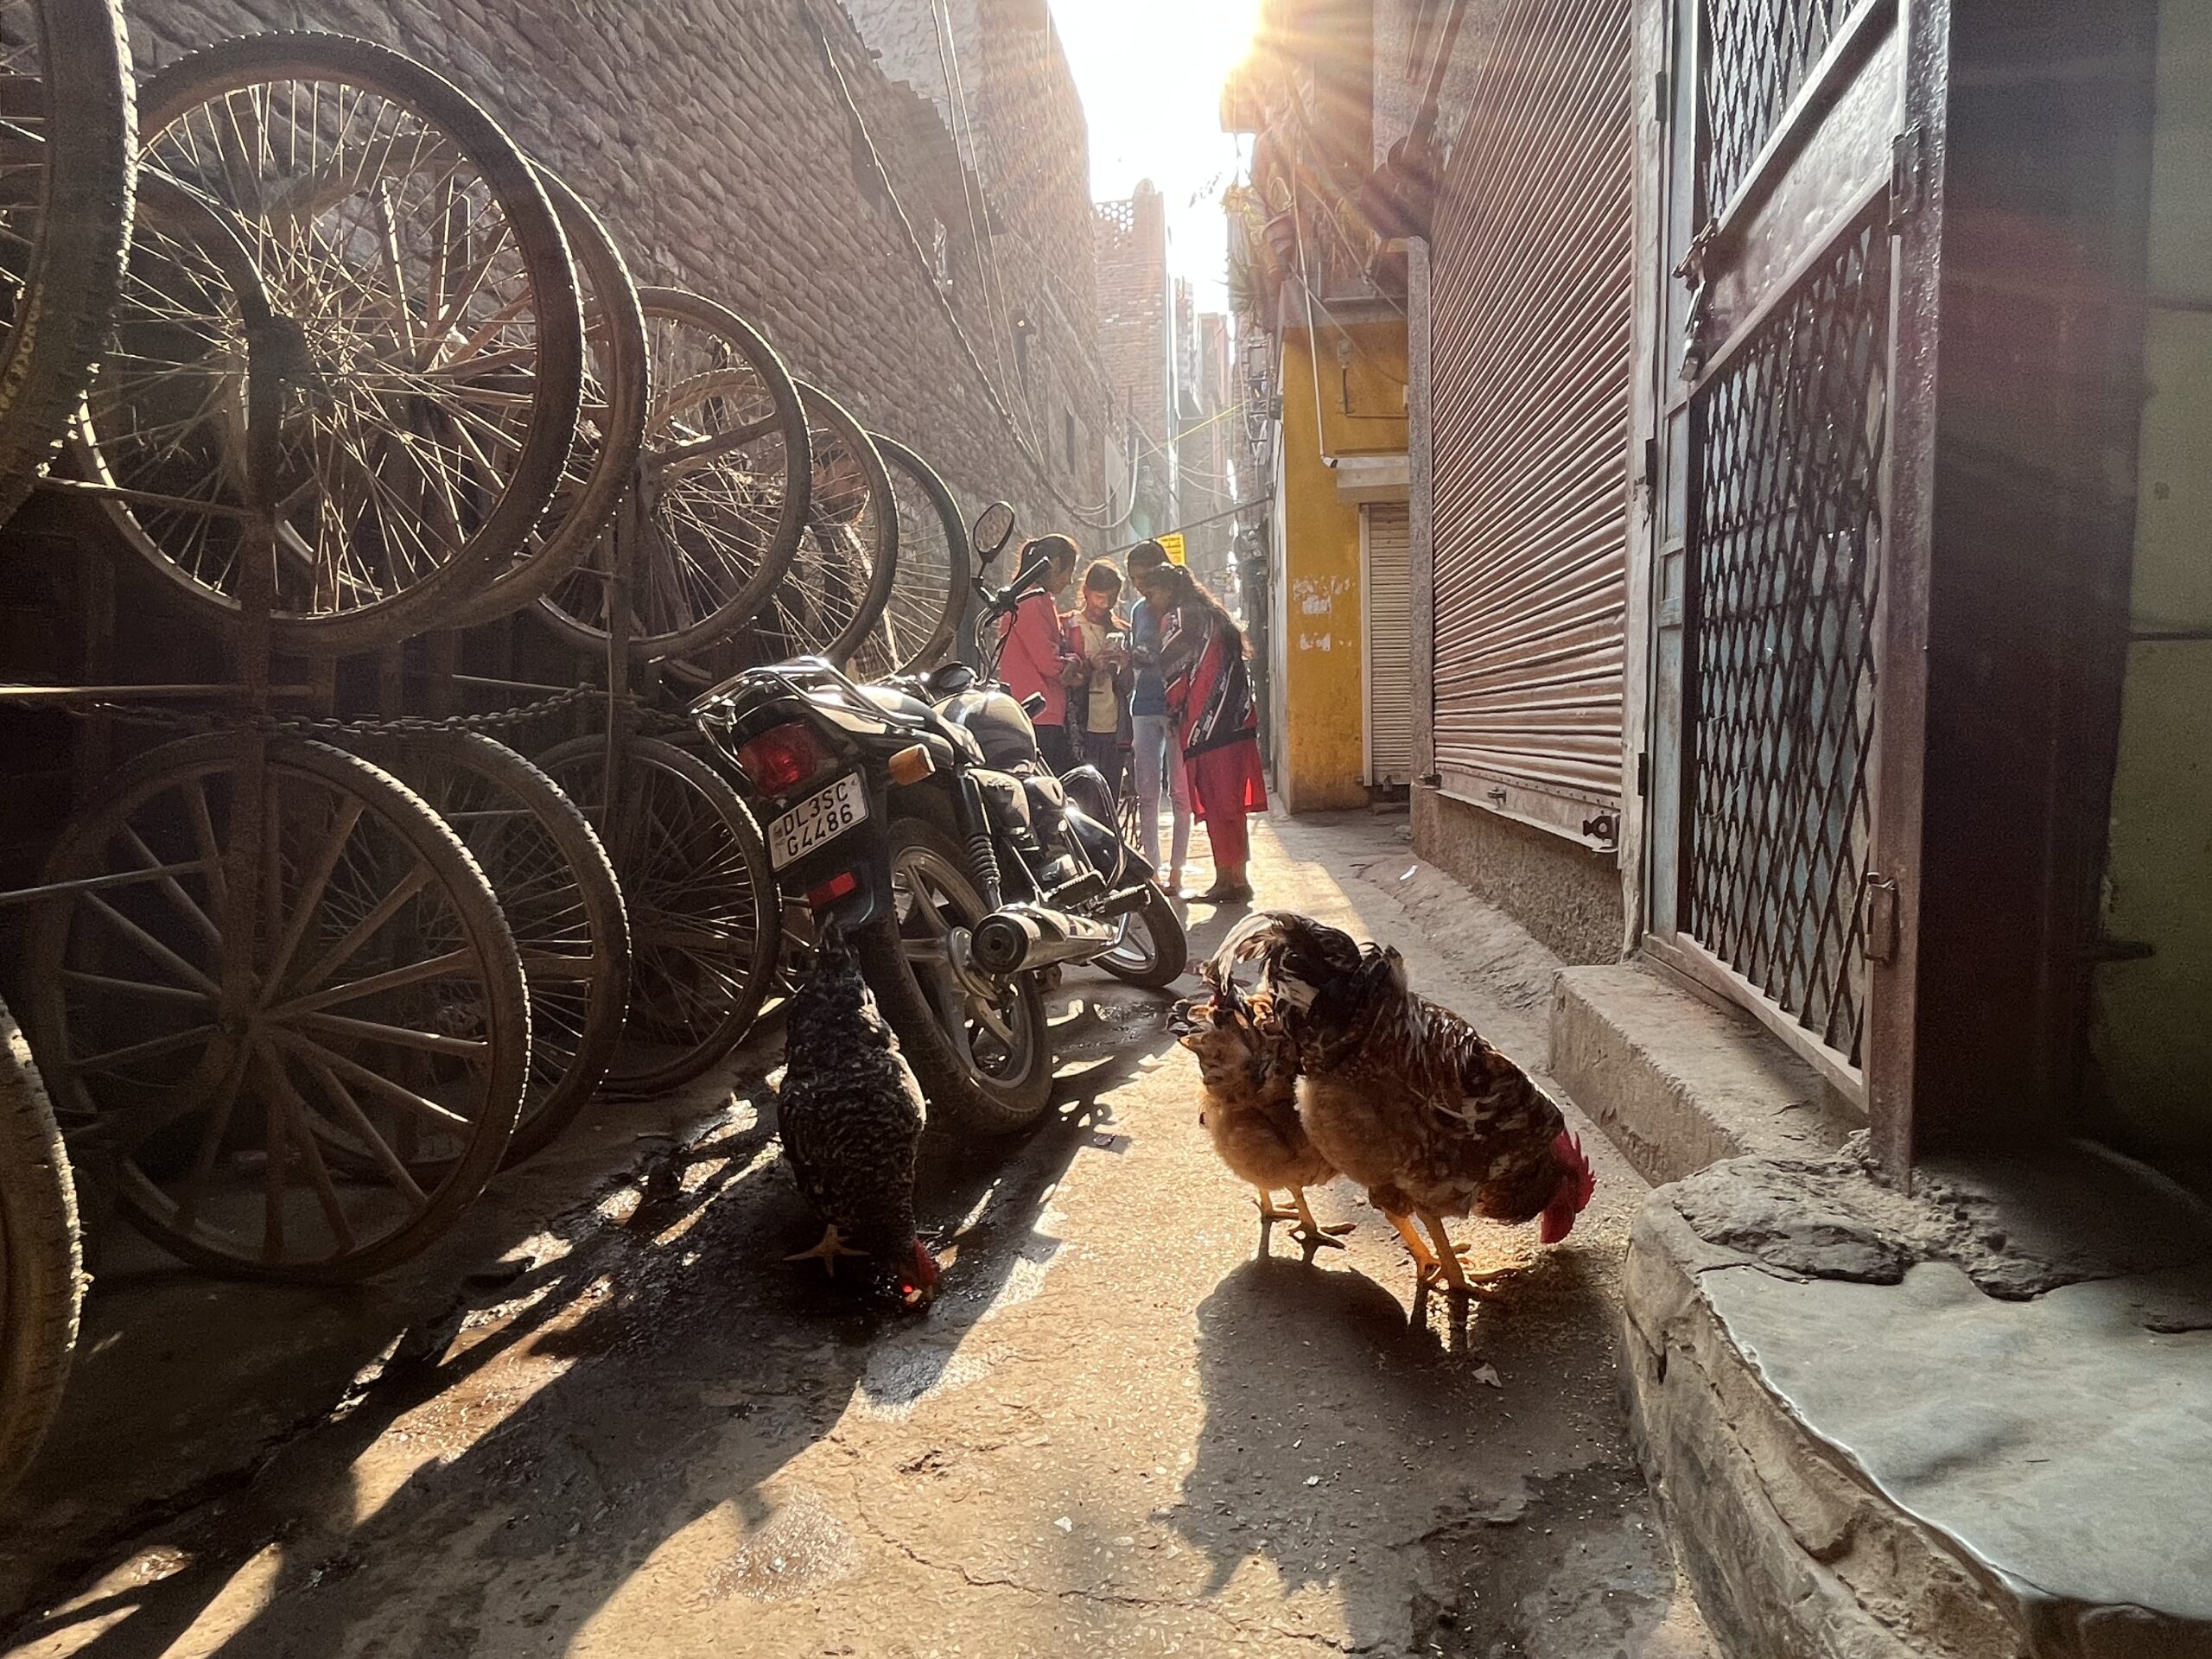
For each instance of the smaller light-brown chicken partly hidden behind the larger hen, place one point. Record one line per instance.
(1251, 1076)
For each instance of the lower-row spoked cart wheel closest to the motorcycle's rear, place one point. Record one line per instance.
(705, 912)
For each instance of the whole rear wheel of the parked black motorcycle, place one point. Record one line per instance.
(979, 1047)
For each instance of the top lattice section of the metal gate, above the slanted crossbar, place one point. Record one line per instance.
(1760, 54)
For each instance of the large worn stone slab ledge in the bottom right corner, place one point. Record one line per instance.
(1921, 1470)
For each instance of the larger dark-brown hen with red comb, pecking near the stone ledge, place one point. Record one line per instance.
(1408, 1098)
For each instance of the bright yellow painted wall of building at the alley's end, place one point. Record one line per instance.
(1322, 629)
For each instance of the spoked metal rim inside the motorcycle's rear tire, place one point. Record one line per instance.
(990, 1023)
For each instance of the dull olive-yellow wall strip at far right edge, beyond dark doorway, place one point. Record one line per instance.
(2153, 1032)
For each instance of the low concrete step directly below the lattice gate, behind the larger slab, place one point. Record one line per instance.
(1680, 1085)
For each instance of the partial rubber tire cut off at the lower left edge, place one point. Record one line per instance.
(41, 1264)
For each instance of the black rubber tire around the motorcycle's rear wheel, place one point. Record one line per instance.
(959, 1103)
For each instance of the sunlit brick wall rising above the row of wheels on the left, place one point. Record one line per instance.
(716, 143)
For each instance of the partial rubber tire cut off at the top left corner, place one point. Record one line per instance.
(79, 267)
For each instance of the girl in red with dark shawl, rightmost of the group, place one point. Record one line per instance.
(1211, 700)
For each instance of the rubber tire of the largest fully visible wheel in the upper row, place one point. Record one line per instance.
(523, 198)
